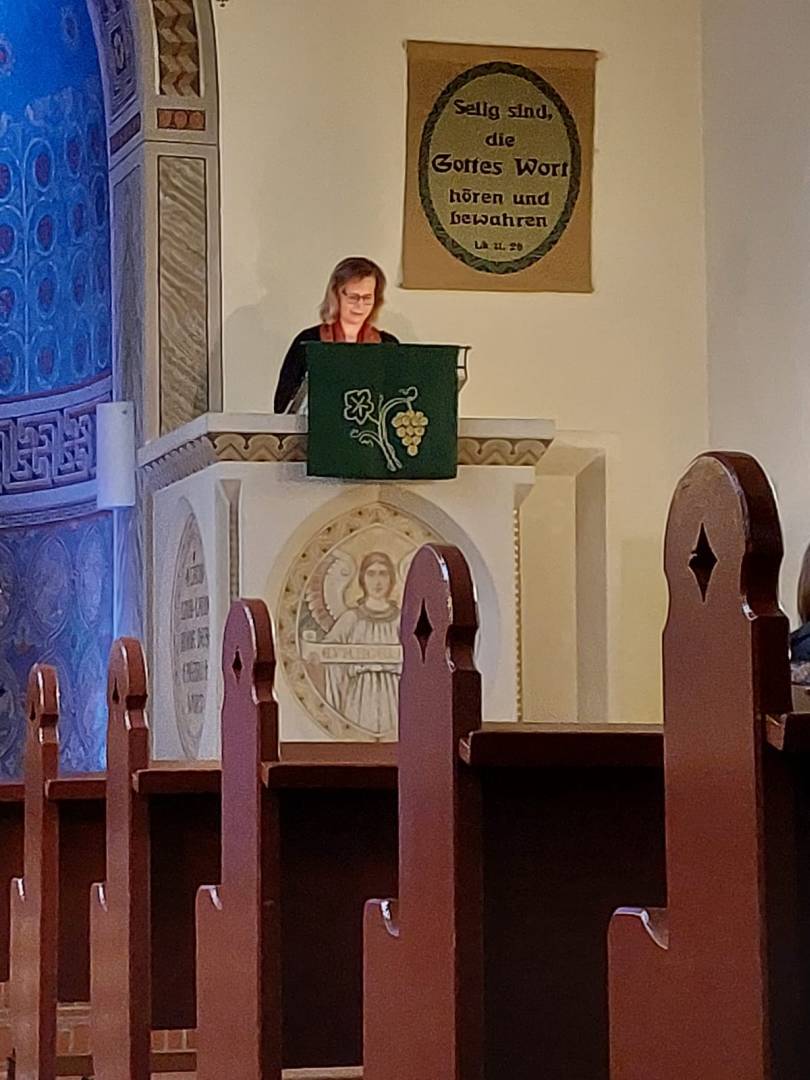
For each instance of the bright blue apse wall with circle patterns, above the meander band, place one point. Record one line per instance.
(55, 206)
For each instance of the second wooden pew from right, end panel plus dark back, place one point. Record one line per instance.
(517, 842)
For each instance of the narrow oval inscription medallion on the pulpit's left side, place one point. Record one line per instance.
(191, 637)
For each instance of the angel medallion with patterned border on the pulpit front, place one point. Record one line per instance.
(340, 629)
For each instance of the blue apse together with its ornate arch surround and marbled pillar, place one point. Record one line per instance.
(91, 94)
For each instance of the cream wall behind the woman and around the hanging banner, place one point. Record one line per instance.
(314, 119)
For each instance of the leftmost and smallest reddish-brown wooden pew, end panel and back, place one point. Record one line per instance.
(64, 854)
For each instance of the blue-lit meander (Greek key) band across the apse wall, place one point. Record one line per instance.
(49, 450)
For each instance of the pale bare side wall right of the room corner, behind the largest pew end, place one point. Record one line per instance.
(758, 152)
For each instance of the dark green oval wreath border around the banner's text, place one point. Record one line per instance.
(457, 250)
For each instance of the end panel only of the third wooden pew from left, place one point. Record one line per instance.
(240, 919)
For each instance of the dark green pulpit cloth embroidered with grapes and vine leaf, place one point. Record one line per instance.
(383, 412)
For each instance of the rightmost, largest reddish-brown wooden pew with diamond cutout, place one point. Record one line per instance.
(718, 984)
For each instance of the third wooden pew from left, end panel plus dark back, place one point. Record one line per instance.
(309, 832)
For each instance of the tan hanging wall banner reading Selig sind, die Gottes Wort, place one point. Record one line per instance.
(499, 163)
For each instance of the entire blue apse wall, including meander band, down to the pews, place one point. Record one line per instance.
(56, 367)
